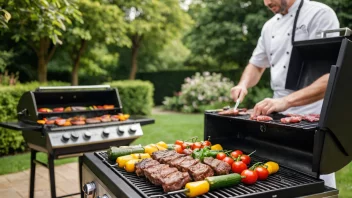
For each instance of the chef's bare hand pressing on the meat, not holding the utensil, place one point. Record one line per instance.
(270, 105)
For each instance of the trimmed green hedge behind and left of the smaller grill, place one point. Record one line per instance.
(12, 141)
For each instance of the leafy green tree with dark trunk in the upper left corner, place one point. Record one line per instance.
(40, 23)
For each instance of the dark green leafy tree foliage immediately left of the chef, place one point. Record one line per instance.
(226, 32)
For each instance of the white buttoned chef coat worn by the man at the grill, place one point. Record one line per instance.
(274, 50)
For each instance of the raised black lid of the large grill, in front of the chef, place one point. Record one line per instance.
(310, 60)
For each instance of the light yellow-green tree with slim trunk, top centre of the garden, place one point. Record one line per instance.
(157, 22)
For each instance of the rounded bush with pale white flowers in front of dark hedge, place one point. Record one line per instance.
(201, 91)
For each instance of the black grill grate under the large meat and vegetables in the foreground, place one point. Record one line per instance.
(283, 179)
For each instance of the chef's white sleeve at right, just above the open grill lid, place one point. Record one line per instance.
(325, 19)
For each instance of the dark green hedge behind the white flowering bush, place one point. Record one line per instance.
(166, 83)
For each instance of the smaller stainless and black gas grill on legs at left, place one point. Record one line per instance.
(73, 140)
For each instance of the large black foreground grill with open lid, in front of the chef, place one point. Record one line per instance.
(303, 150)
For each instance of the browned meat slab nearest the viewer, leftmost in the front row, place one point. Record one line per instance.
(161, 174)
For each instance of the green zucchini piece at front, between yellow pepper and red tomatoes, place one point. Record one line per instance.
(223, 181)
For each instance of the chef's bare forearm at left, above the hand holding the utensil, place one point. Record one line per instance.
(251, 76)
